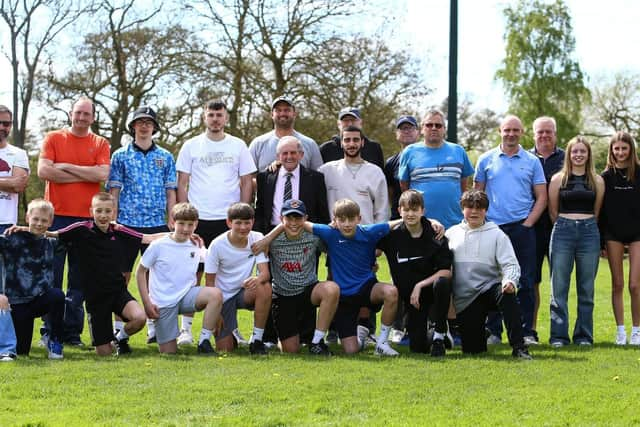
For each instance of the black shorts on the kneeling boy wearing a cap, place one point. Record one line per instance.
(293, 314)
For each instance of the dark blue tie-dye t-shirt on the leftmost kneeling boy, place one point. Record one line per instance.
(28, 265)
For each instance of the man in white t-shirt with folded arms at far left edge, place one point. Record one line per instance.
(14, 172)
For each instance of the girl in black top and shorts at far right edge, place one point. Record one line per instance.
(620, 227)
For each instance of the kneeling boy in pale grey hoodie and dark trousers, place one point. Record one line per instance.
(485, 271)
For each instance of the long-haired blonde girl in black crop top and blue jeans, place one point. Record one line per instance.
(575, 198)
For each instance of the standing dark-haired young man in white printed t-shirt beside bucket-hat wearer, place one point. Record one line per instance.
(215, 170)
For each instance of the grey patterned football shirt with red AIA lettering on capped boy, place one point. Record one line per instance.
(293, 263)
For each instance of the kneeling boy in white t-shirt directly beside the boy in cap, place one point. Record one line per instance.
(229, 267)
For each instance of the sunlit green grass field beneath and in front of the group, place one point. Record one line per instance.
(568, 386)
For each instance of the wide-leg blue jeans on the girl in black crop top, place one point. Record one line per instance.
(573, 241)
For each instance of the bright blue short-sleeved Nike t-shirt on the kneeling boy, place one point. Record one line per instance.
(351, 259)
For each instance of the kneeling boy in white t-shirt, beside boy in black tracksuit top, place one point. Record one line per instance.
(172, 263)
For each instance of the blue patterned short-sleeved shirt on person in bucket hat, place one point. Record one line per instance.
(143, 178)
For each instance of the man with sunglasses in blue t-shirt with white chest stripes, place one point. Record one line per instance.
(438, 169)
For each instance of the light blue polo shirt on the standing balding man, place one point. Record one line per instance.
(509, 183)
